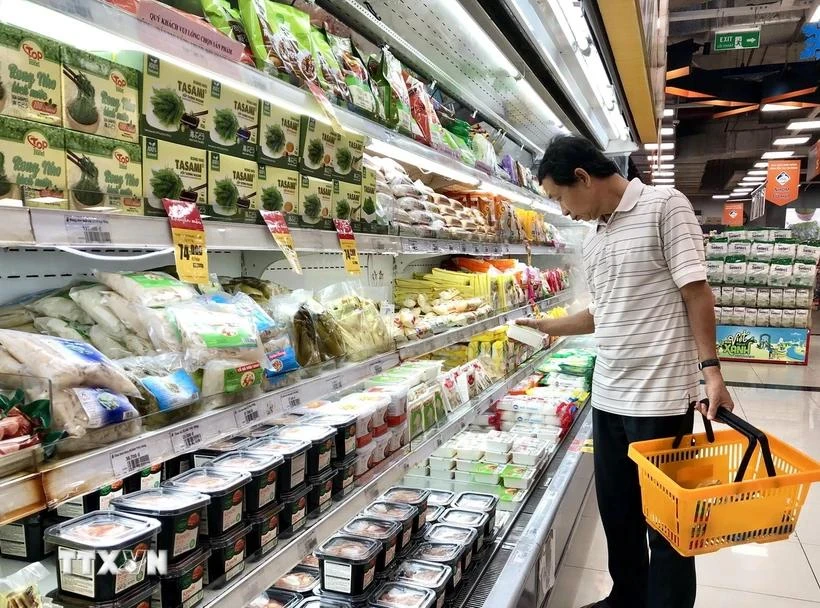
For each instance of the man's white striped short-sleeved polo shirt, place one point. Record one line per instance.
(635, 263)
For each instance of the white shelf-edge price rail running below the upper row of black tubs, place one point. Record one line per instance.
(388, 473)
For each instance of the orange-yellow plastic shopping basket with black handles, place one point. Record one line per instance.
(722, 489)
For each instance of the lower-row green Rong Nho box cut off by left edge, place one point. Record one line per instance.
(32, 163)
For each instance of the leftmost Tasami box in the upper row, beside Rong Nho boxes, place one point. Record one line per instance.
(175, 103)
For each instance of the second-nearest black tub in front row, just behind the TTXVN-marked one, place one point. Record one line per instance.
(179, 514)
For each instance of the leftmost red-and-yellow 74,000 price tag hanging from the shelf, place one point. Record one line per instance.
(188, 235)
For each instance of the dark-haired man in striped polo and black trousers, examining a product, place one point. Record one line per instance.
(652, 315)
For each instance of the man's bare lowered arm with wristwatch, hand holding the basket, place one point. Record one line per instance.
(700, 309)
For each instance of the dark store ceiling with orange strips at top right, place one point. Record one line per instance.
(719, 128)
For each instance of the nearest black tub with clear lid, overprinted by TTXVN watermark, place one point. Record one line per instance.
(102, 531)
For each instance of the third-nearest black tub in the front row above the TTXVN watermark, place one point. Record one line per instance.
(227, 491)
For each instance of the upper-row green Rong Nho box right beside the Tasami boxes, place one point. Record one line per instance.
(100, 97)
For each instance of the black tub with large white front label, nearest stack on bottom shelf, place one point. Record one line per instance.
(347, 564)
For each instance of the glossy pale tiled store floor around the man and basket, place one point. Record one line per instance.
(784, 574)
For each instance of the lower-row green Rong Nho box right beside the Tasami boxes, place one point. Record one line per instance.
(103, 174)
